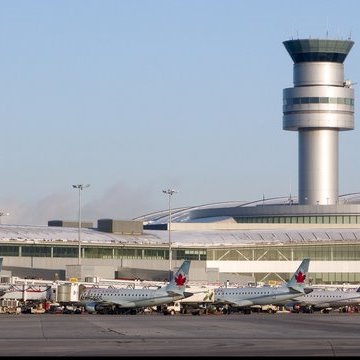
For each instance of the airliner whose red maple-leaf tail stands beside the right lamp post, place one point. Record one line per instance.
(132, 300)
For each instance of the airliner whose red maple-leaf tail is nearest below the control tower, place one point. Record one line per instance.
(245, 297)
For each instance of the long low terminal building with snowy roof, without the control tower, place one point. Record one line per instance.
(220, 248)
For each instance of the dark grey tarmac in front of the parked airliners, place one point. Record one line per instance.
(280, 334)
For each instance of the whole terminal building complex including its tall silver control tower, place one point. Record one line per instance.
(263, 240)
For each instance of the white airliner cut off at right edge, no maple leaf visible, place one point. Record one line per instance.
(324, 300)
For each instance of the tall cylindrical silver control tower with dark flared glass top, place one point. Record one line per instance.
(320, 104)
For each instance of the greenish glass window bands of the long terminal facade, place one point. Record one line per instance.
(335, 251)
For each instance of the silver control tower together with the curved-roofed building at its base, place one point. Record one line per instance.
(318, 107)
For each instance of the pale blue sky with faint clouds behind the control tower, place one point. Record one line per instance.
(138, 96)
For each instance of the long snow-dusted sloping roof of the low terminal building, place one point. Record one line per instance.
(183, 238)
